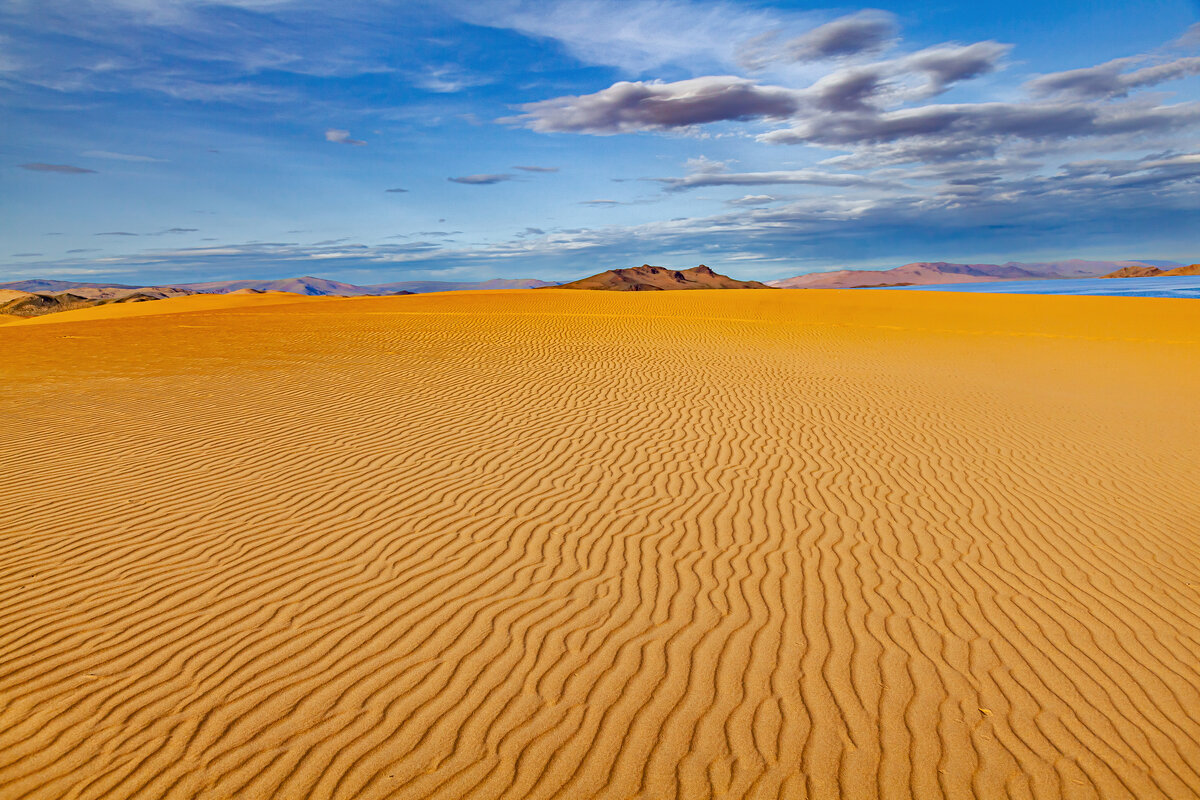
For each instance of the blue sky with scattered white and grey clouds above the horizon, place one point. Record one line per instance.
(172, 141)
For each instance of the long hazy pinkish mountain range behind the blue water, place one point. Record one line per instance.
(934, 273)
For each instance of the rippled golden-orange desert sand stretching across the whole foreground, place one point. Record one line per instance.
(603, 545)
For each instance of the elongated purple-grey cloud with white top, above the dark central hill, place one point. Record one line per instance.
(657, 106)
